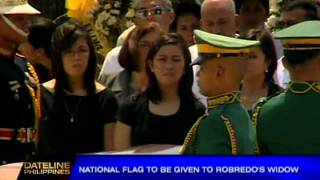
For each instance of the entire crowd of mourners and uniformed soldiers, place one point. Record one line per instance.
(210, 77)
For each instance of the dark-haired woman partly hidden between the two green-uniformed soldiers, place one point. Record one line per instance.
(258, 81)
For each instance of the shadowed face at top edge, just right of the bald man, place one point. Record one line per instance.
(252, 15)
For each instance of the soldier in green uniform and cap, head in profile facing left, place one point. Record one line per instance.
(226, 127)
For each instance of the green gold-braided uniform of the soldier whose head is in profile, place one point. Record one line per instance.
(226, 128)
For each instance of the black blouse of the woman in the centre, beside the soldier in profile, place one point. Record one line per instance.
(150, 128)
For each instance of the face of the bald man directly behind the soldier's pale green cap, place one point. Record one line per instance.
(218, 20)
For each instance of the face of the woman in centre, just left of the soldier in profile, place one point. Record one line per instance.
(168, 64)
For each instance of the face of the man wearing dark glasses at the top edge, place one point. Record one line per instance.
(153, 11)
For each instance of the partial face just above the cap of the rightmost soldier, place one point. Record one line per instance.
(289, 18)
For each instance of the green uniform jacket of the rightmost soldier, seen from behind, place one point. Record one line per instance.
(289, 123)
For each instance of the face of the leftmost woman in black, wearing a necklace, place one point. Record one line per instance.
(75, 60)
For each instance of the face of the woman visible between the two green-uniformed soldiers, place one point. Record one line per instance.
(257, 64)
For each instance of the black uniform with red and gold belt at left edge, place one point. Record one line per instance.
(17, 115)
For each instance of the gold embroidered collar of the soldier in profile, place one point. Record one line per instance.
(226, 98)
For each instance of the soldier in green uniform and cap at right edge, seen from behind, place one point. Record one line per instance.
(289, 123)
